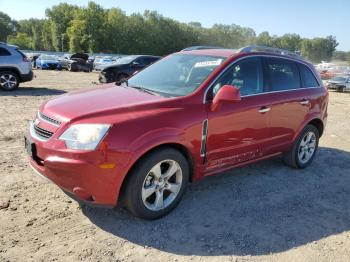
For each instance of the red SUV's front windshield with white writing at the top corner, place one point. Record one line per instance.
(176, 75)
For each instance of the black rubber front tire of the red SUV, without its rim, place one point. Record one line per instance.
(133, 198)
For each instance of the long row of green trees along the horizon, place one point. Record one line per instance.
(95, 29)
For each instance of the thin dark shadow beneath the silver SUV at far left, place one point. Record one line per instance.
(32, 91)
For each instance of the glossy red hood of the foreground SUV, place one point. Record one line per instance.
(99, 102)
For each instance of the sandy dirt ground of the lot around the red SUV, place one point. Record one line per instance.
(263, 212)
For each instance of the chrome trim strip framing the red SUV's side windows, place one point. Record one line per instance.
(274, 56)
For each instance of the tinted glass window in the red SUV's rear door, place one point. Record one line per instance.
(281, 74)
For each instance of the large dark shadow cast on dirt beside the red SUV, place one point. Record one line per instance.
(259, 209)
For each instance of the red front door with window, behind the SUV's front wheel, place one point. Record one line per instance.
(237, 132)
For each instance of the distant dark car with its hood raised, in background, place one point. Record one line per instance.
(76, 62)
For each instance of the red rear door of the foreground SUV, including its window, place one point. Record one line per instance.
(291, 88)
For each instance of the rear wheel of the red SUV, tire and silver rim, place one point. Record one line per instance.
(301, 156)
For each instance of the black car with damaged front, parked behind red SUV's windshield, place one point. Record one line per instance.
(125, 67)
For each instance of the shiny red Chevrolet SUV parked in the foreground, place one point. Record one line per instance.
(191, 114)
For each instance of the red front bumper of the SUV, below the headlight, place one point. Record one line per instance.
(81, 175)
